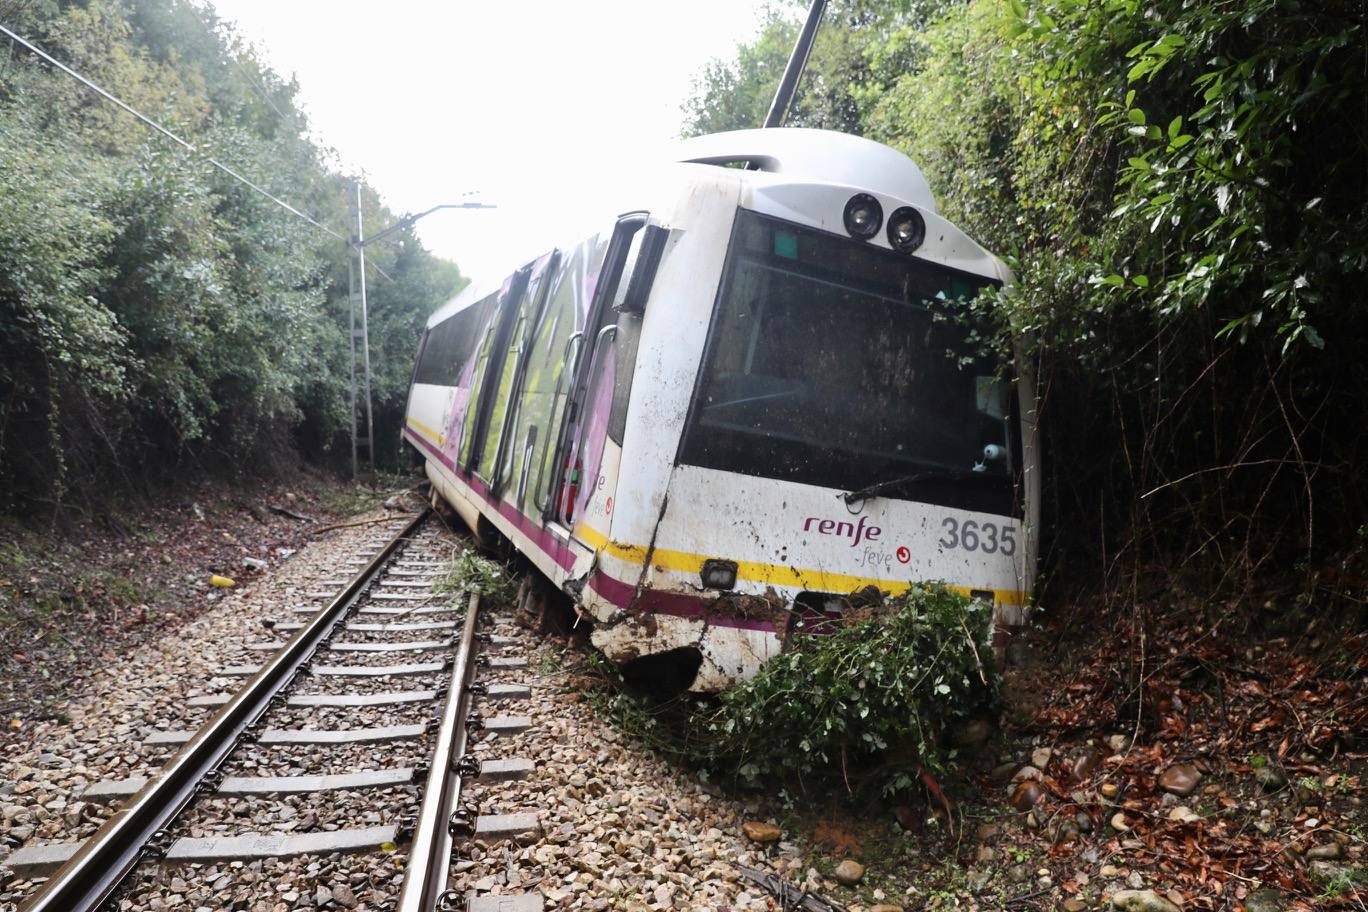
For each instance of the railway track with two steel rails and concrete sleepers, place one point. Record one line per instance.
(381, 662)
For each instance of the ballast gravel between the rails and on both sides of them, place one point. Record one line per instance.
(619, 829)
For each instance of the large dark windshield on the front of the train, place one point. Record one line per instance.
(845, 366)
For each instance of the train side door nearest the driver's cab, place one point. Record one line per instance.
(588, 472)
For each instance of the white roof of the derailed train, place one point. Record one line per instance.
(776, 155)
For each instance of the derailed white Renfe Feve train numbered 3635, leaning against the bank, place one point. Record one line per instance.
(741, 404)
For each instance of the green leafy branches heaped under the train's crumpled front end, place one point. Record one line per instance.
(865, 706)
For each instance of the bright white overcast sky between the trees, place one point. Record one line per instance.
(519, 102)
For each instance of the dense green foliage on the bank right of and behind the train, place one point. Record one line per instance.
(1181, 188)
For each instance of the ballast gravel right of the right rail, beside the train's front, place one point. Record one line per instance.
(620, 829)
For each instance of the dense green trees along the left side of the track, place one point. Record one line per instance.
(158, 317)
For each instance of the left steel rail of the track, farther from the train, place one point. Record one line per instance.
(109, 857)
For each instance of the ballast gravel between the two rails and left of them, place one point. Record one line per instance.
(147, 690)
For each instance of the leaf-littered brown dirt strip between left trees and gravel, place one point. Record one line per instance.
(117, 582)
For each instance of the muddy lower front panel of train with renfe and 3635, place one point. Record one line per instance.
(793, 545)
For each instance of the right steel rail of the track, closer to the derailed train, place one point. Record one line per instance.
(430, 859)
